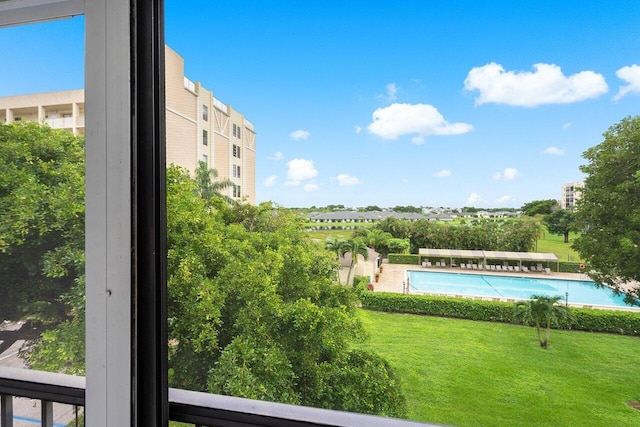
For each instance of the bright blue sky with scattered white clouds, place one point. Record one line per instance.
(386, 103)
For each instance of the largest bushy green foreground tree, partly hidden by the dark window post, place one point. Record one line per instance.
(254, 311)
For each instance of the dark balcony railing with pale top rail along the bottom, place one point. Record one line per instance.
(199, 409)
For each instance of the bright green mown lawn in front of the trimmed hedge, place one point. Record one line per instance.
(466, 373)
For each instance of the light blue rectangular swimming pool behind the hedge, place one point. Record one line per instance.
(512, 287)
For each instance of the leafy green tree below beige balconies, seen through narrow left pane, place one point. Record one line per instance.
(41, 219)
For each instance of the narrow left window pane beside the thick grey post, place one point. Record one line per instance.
(42, 130)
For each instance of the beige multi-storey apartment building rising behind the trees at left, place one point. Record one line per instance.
(199, 126)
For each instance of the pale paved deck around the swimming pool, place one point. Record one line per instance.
(393, 275)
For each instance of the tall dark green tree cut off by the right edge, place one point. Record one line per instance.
(608, 212)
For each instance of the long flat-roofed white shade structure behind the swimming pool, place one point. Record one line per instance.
(486, 255)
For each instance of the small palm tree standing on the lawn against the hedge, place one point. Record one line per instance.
(543, 311)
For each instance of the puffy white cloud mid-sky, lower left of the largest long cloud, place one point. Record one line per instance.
(421, 119)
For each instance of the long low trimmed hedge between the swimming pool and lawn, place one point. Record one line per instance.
(583, 319)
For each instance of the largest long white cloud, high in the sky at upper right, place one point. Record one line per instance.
(545, 85)
